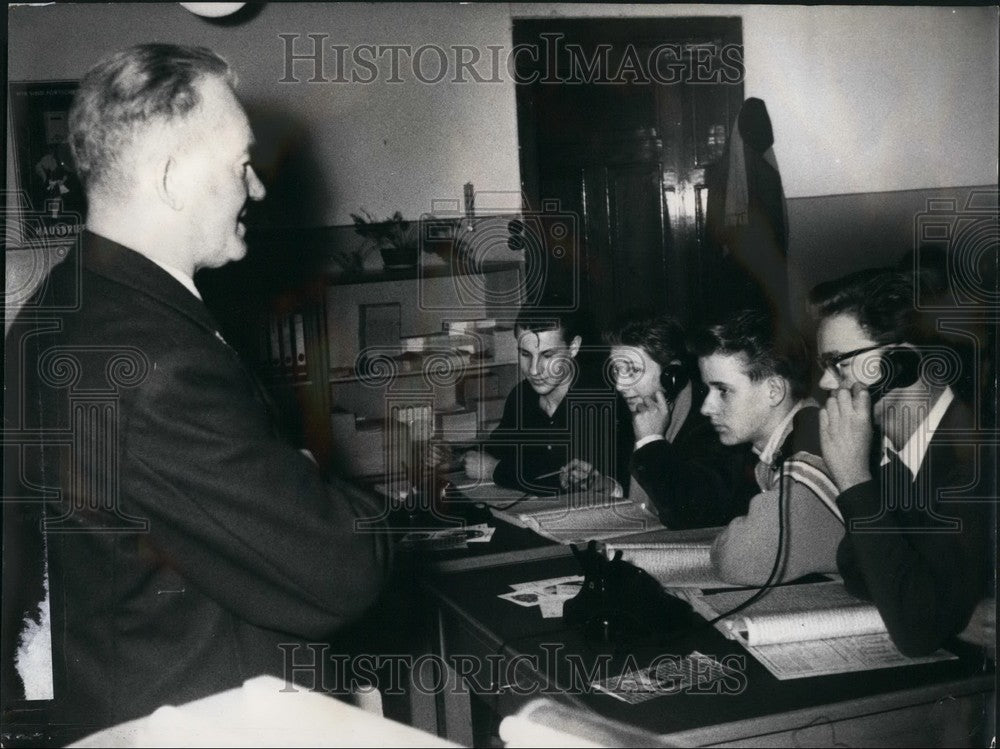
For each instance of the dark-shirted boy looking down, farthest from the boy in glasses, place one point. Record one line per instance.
(562, 425)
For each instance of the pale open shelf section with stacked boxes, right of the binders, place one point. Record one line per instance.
(439, 345)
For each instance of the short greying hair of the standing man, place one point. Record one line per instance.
(128, 91)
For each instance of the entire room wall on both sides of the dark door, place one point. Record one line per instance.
(864, 100)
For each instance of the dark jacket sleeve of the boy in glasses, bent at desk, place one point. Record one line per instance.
(925, 584)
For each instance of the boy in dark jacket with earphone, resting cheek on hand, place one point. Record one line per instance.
(693, 480)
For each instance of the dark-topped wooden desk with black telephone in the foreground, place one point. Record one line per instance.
(948, 703)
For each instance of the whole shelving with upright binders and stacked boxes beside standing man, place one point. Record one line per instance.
(338, 339)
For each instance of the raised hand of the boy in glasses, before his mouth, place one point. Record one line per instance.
(845, 433)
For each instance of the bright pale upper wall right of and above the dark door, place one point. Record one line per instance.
(862, 99)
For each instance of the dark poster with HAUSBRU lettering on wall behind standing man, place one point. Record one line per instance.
(50, 197)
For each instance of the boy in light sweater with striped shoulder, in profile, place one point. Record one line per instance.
(756, 394)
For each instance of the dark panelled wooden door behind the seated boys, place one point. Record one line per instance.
(627, 153)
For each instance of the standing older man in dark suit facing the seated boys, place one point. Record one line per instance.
(186, 547)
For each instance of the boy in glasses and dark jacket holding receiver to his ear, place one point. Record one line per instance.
(917, 484)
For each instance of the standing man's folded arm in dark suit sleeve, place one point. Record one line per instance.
(241, 514)
